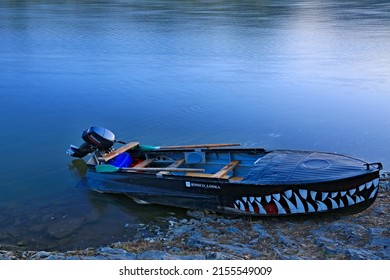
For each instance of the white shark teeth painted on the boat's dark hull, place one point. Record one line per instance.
(298, 201)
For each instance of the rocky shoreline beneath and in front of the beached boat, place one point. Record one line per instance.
(203, 236)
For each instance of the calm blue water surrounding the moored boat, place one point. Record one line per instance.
(311, 75)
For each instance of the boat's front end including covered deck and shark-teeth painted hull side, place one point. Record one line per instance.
(297, 182)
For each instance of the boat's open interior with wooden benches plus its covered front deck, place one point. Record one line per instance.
(248, 166)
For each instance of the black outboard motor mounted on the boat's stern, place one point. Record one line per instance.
(96, 139)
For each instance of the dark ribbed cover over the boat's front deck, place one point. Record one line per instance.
(297, 167)
